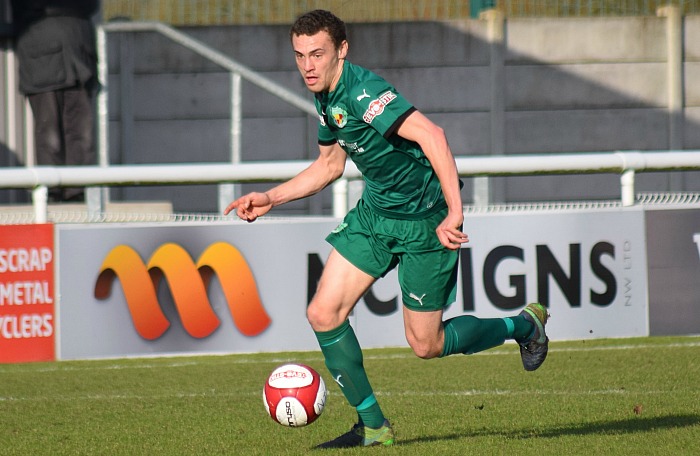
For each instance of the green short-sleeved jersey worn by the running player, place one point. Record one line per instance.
(362, 115)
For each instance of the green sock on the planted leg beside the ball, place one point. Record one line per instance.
(343, 357)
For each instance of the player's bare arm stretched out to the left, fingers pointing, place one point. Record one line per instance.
(328, 167)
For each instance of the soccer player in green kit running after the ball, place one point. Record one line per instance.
(410, 216)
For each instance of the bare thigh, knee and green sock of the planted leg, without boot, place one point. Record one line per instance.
(339, 289)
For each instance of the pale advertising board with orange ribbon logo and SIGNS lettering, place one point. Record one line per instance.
(152, 289)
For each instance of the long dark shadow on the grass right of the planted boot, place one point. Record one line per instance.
(627, 426)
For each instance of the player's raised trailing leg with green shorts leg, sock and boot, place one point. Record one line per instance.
(428, 279)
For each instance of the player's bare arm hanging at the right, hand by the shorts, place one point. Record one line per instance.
(431, 138)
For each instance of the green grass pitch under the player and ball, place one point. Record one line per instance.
(581, 401)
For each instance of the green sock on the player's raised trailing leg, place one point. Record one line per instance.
(468, 334)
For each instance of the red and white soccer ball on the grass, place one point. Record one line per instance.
(294, 395)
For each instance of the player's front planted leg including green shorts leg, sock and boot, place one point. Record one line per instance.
(357, 260)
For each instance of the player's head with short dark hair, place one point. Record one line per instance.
(320, 46)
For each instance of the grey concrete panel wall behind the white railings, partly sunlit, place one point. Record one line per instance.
(497, 87)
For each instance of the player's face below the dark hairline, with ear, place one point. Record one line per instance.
(319, 62)
